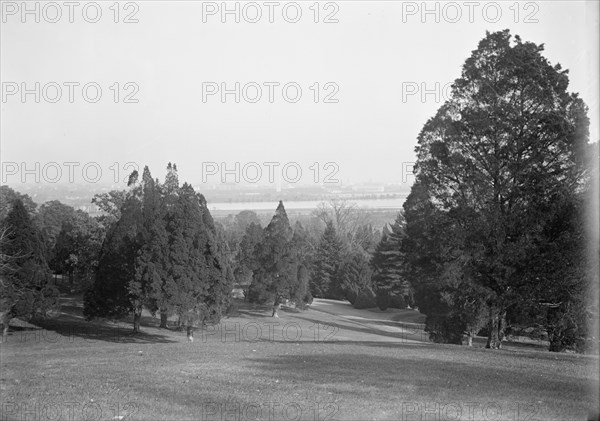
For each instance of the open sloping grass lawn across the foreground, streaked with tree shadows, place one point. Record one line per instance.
(305, 365)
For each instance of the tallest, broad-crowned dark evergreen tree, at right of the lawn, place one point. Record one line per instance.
(489, 165)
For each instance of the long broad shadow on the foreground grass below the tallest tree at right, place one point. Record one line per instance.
(424, 377)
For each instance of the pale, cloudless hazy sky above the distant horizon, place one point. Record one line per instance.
(374, 51)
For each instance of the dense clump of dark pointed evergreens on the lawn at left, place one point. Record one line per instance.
(162, 254)
